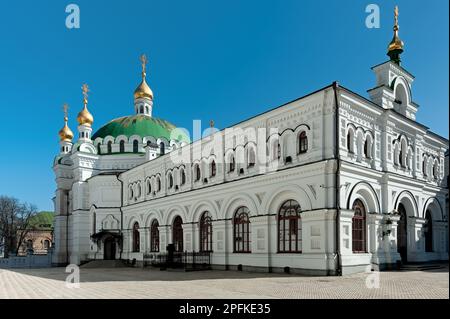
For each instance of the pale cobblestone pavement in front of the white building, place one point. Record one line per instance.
(153, 283)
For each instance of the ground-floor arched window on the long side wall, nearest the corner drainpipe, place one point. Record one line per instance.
(289, 227)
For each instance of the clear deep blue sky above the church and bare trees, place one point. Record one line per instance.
(225, 60)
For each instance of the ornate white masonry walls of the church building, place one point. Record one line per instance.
(336, 149)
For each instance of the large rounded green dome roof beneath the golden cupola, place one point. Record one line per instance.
(141, 125)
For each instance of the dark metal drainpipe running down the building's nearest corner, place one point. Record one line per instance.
(337, 180)
